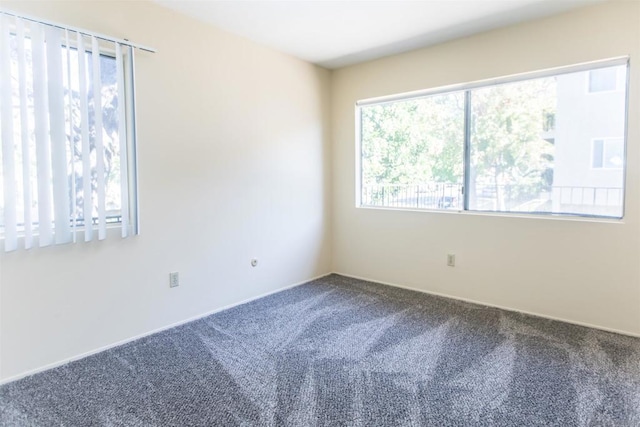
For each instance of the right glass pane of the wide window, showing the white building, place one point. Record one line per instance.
(521, 164)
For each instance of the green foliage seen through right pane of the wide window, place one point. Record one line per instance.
(507, 122)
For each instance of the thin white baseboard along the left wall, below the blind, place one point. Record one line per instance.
(146, 334)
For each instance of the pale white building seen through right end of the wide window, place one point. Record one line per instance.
(580, 185)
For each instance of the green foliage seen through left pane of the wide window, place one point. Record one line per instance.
(414, 141)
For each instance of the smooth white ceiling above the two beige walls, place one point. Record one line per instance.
(336, 33)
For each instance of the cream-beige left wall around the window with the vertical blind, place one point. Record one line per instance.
(233, 164)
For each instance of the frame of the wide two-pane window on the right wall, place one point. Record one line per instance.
(467, 87)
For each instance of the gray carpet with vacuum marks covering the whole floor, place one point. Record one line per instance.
(339, 351)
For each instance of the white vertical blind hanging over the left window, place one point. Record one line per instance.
(68, 134)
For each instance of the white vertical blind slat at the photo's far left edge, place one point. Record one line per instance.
(8, 150)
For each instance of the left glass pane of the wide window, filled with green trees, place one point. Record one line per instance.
(412, 153)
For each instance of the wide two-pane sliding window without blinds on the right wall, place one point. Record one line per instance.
(513, 145)
